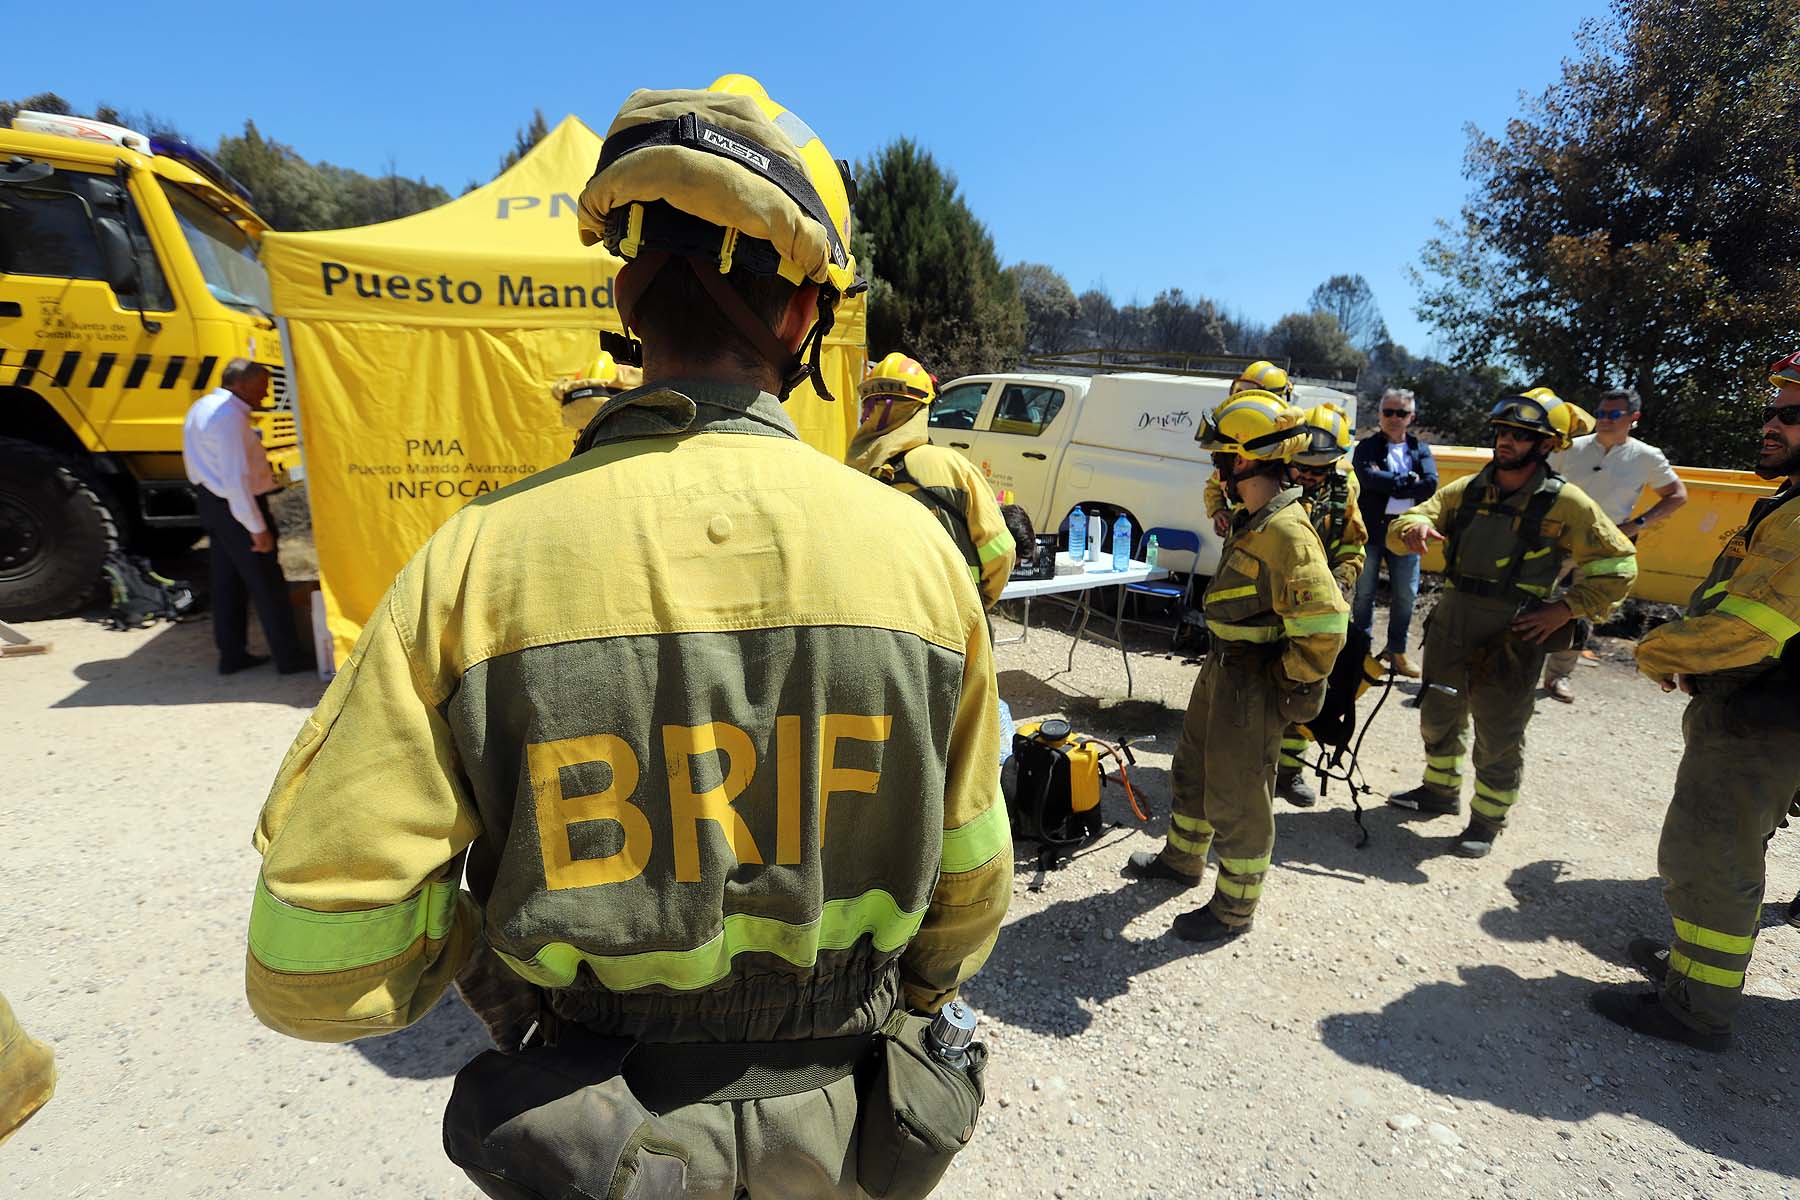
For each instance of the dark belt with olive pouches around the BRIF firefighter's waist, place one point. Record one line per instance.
(586, 1116)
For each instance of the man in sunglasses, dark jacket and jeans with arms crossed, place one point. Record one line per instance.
(1396, 472)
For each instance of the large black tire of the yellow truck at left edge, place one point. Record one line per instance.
(55, 533)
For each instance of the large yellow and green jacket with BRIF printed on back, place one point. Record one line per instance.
(715, 764)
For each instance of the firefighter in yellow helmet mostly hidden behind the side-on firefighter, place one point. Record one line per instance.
(1329, 494)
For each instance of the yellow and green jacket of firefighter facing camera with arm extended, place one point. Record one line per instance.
(1511, 548)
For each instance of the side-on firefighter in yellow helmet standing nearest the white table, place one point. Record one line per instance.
(1277, 622)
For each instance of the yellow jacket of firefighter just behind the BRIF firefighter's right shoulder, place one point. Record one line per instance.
(951, 487)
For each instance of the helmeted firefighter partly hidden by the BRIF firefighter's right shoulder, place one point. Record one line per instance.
(894, 445)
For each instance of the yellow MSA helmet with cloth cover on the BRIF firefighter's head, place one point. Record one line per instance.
(724, 179)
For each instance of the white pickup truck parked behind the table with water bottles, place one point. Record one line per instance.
(1111, 443)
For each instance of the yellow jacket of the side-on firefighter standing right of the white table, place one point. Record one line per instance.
(1275, 586)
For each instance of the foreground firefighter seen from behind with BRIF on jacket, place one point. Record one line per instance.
(717, 766)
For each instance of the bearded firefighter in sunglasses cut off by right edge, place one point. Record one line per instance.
(1738, 656)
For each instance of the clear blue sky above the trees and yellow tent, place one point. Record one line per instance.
(1237, 152)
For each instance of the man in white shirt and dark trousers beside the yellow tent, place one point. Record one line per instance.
(231, 478)
